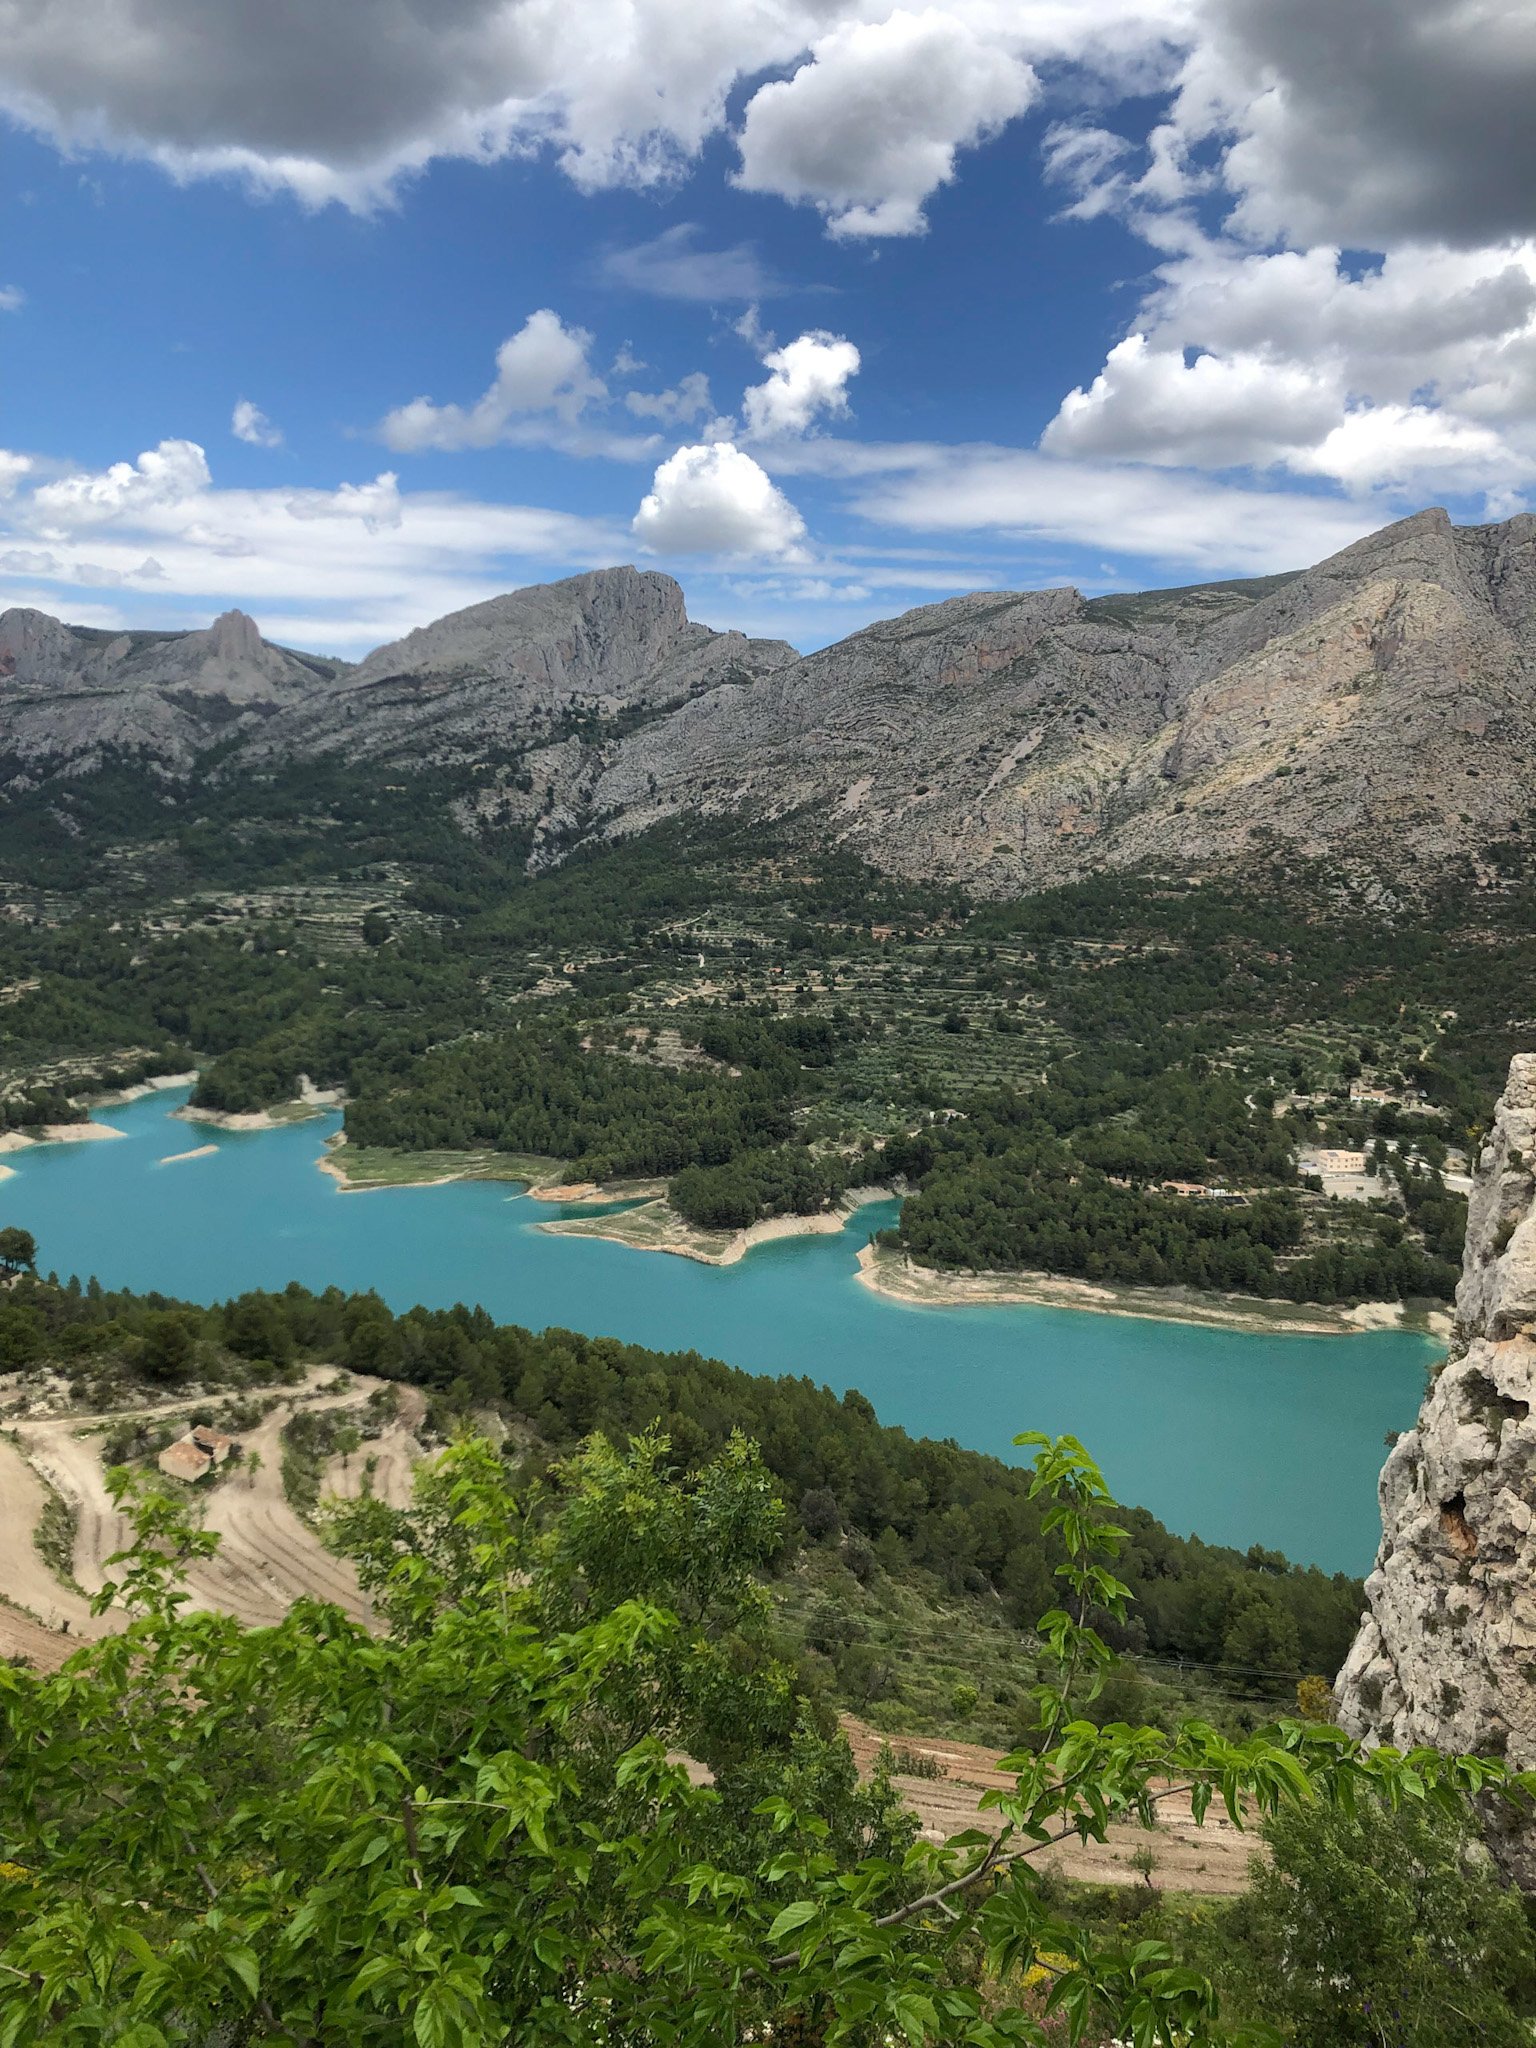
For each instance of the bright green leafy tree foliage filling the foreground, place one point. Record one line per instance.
(472, 1826)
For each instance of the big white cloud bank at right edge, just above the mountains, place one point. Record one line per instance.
(1416, 374)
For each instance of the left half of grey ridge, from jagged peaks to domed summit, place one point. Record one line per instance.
(490, 681)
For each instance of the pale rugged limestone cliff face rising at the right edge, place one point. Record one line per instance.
(1447, 1652)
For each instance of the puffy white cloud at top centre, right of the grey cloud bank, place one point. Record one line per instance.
(869, 128)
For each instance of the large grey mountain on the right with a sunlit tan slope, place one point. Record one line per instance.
(1379, 708)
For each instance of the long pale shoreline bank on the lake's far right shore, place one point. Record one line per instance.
(923, 1287)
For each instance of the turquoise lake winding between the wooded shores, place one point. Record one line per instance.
(1240, 1439)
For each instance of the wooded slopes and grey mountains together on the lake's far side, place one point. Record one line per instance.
(419, 882)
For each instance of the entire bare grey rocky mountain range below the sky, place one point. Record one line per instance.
(1377, 710)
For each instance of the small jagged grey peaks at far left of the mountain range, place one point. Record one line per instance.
(75, 695)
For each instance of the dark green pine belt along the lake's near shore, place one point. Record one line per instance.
(896, 1504)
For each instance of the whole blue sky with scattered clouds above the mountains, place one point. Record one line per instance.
(824, 308)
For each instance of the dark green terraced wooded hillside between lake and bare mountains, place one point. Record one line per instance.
(767, 1031)
